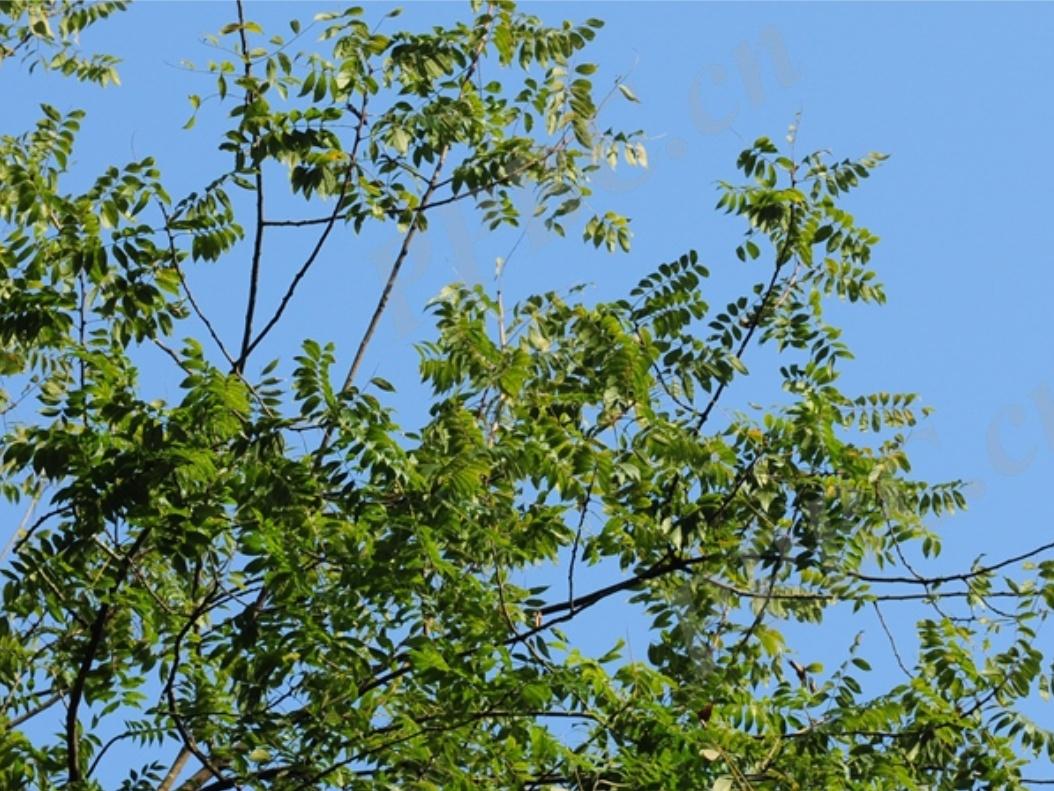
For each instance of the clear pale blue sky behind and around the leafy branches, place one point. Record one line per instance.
(959, 94)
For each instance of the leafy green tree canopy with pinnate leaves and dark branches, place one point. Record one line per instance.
(271, 583)
